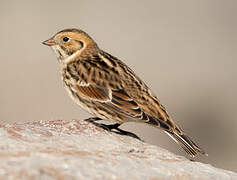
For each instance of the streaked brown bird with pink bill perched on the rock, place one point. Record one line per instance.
(107, 88)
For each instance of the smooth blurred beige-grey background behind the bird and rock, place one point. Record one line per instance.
(184, 50)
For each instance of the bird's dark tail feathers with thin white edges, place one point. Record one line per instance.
(186, 143)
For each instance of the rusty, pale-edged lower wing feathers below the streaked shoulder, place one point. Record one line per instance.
(121, 101)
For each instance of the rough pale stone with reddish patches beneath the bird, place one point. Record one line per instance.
(79, 150)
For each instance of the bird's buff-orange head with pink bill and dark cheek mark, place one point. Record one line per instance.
(70, 41)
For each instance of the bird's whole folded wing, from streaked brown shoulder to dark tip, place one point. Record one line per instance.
(101, 82)
